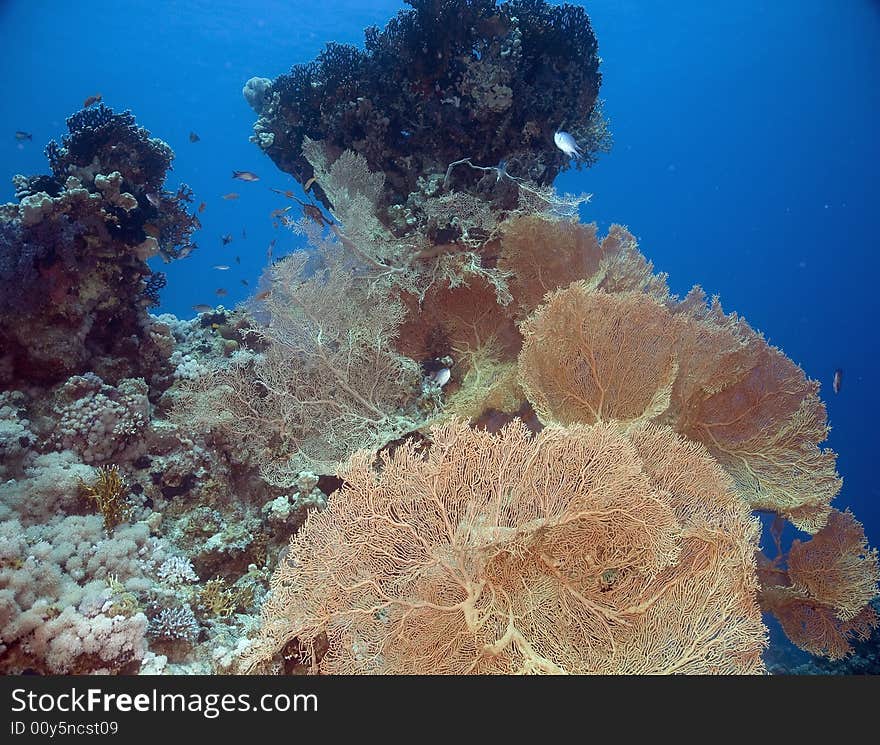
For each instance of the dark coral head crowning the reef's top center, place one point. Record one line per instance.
(444, 80)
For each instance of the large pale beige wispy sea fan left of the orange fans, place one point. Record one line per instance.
(329, 383)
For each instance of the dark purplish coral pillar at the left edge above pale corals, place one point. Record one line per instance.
(74, 281)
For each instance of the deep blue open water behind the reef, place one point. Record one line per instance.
(745, 158)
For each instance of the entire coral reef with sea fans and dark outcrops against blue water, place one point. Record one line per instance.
(430, 441)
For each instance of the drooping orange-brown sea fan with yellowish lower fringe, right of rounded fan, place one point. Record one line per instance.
(756, 412)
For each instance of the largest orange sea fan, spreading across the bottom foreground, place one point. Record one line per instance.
(577, 551)
